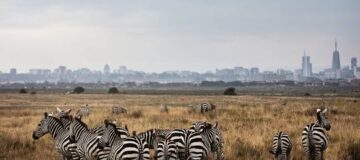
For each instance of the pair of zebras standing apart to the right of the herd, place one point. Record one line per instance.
(314, 139)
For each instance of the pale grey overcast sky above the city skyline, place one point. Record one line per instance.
(160, 35)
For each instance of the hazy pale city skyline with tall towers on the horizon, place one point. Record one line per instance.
(123, 75)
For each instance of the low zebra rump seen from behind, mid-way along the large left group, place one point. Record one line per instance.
(166, 149)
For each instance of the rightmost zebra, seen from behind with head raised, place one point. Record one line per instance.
(314, 139)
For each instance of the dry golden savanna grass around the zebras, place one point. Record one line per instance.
(247, 122)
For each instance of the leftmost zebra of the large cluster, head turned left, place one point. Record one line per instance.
(63, 144)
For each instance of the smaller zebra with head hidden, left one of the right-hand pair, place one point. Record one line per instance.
(281, 146)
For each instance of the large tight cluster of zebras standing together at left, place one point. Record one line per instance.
(75, 140)
